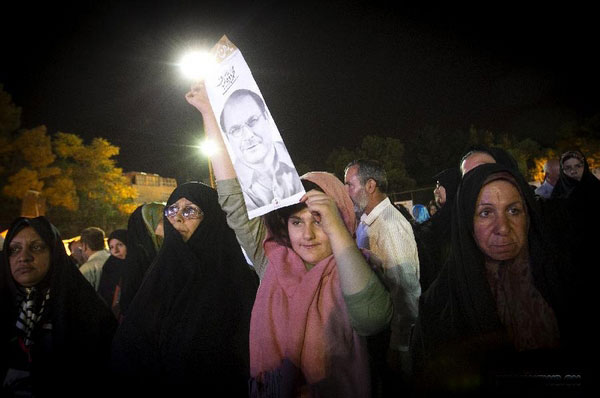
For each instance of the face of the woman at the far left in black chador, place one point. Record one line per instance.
(29, 257)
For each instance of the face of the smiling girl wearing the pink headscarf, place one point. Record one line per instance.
(307, 238)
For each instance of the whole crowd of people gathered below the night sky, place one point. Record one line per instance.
(486, 290)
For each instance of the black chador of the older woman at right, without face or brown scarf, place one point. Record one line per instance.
(459, 343)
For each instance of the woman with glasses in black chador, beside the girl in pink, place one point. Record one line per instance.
(187, 327)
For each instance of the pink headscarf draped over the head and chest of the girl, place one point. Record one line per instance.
(300, 317)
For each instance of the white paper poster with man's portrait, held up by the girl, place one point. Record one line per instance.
(266, 173)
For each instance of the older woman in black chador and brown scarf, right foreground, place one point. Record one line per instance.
(502, 304)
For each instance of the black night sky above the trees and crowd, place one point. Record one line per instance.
(331, 72)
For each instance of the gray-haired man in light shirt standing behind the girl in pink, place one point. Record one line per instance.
(389, 235)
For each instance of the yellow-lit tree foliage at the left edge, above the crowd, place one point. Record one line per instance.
(81, 183)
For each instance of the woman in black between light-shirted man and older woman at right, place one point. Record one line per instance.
(433, 236)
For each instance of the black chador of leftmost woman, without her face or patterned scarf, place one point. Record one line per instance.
(71, 341)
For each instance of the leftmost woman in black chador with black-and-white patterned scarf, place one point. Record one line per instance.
(55, 330)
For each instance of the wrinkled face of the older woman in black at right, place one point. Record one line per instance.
(500, 221)
